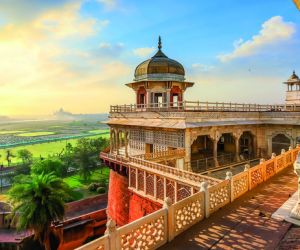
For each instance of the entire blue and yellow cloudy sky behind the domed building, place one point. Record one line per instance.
(79, 54)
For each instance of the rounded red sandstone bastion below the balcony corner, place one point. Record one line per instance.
(118, 198)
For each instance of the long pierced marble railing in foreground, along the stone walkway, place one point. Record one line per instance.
(154, 230)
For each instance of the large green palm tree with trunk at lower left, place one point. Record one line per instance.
(39, 201)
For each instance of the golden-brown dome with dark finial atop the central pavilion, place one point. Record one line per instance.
(159, 67)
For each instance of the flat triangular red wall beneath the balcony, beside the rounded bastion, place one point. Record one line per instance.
(139, 207)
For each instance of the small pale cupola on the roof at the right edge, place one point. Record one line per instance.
(293, 90)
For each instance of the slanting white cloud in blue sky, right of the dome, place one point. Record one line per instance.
(273, 31)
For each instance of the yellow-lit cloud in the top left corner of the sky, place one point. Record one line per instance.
(61, 23)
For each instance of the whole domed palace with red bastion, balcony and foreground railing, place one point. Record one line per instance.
(164, 150)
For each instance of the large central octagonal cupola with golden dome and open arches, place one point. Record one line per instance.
(159, 81)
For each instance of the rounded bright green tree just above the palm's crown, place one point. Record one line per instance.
(50, 165)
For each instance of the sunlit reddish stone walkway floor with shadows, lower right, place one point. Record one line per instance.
(246, 223)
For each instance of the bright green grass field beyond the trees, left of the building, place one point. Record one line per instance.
(45, 149)
